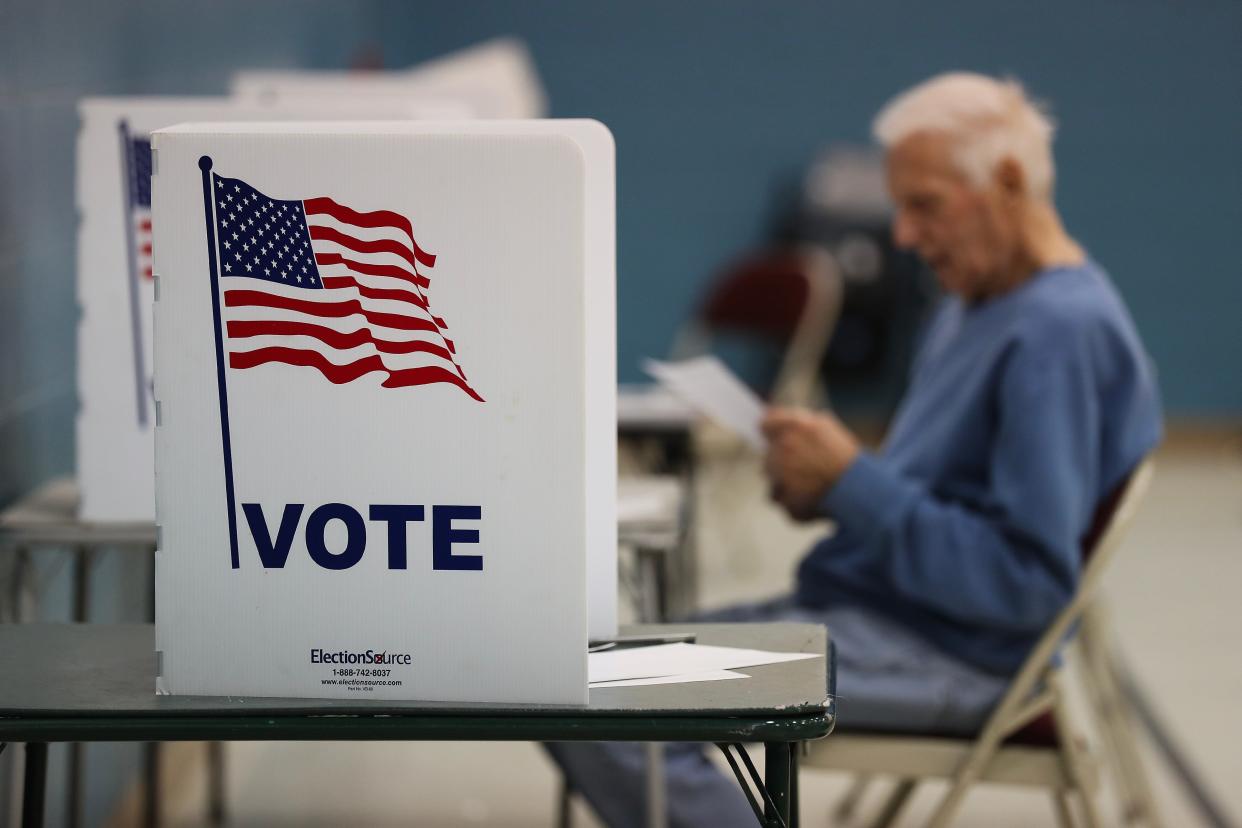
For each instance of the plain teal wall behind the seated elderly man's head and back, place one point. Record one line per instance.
(716, 102)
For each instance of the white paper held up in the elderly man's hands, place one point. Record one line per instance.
(712, 389)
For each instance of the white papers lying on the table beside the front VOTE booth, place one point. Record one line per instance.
(678, 660)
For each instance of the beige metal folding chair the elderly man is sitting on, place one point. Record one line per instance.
(1029, 738)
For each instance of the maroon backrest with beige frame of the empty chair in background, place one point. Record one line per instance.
(791, 297)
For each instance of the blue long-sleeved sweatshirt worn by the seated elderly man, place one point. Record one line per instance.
(1023, 414)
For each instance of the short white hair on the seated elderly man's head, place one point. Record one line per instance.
(988, 121)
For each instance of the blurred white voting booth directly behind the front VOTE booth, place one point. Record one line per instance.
(115, 285)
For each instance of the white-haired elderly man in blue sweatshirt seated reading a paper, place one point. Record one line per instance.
(957, 544)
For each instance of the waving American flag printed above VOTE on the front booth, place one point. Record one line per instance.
(317, 285)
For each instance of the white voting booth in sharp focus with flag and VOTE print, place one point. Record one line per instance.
(386, 403)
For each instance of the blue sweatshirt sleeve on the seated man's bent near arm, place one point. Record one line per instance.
(1009, 563)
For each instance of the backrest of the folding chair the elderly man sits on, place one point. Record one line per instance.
(1112, 520)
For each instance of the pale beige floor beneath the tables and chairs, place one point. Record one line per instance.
(1174, 595)
